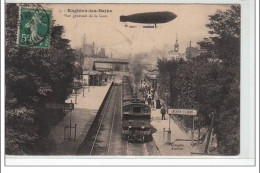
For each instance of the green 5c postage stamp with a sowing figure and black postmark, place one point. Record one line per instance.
(34, 27)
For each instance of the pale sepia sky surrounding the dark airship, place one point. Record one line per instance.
(107, 31)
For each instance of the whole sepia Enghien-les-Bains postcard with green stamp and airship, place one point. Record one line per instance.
(142, 80)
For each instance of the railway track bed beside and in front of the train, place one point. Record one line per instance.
(107, 137)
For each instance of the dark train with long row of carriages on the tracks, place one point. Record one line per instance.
(136, 115)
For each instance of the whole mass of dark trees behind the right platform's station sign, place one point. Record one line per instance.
(211, 81)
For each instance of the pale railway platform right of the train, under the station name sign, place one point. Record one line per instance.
(180, 141)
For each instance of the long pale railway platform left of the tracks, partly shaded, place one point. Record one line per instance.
(66, 142)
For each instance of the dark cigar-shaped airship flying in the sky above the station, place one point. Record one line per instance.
(149, 18)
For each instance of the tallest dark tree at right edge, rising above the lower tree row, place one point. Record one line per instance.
(223, 48)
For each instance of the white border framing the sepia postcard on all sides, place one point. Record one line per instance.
(248, 94)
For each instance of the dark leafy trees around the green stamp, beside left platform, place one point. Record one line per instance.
(34, 77)
